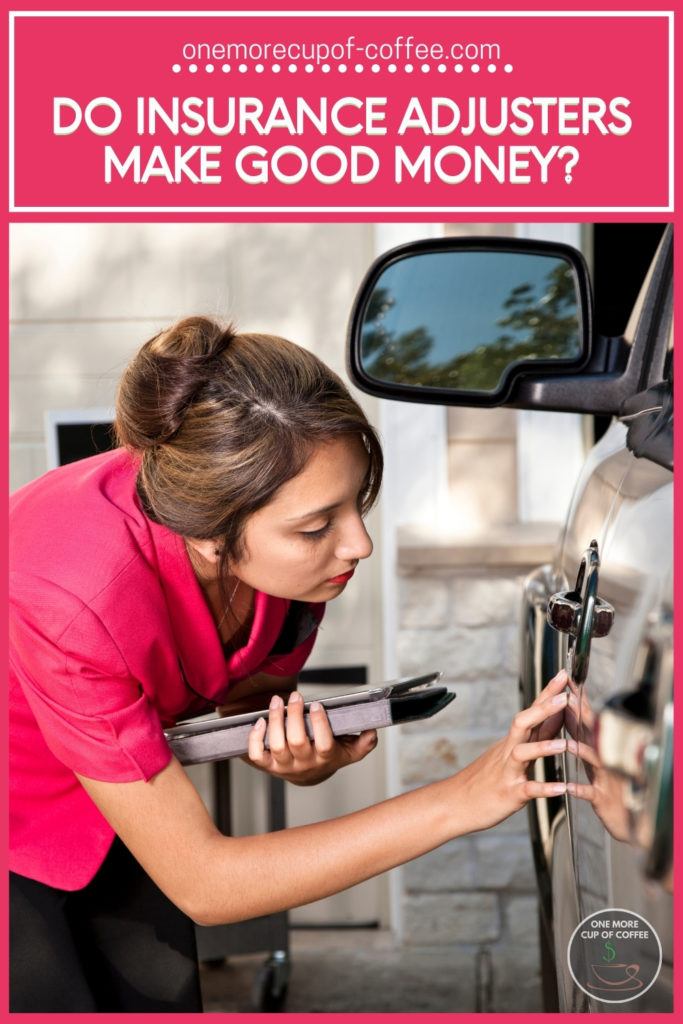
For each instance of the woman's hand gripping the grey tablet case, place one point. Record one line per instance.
(292, 755)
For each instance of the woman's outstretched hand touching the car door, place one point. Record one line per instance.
(497, 784)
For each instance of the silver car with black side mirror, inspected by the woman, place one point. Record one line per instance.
(604, 609)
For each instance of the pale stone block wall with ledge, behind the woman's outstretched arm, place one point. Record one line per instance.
(477, 895)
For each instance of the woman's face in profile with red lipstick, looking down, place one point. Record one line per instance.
(307, 542)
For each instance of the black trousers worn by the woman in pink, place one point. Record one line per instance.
(119, 945)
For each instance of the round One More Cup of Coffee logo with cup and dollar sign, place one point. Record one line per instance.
(615, 956)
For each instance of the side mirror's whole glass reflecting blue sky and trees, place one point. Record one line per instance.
(459, 320)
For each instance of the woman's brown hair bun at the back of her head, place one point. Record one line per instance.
(164, 379)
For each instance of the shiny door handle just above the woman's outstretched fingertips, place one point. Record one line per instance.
(581, 614)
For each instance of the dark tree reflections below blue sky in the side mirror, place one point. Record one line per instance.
(538, 328)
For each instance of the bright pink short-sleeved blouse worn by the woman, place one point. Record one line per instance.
(111, 642)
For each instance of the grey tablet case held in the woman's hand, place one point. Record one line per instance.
(402, 701)
